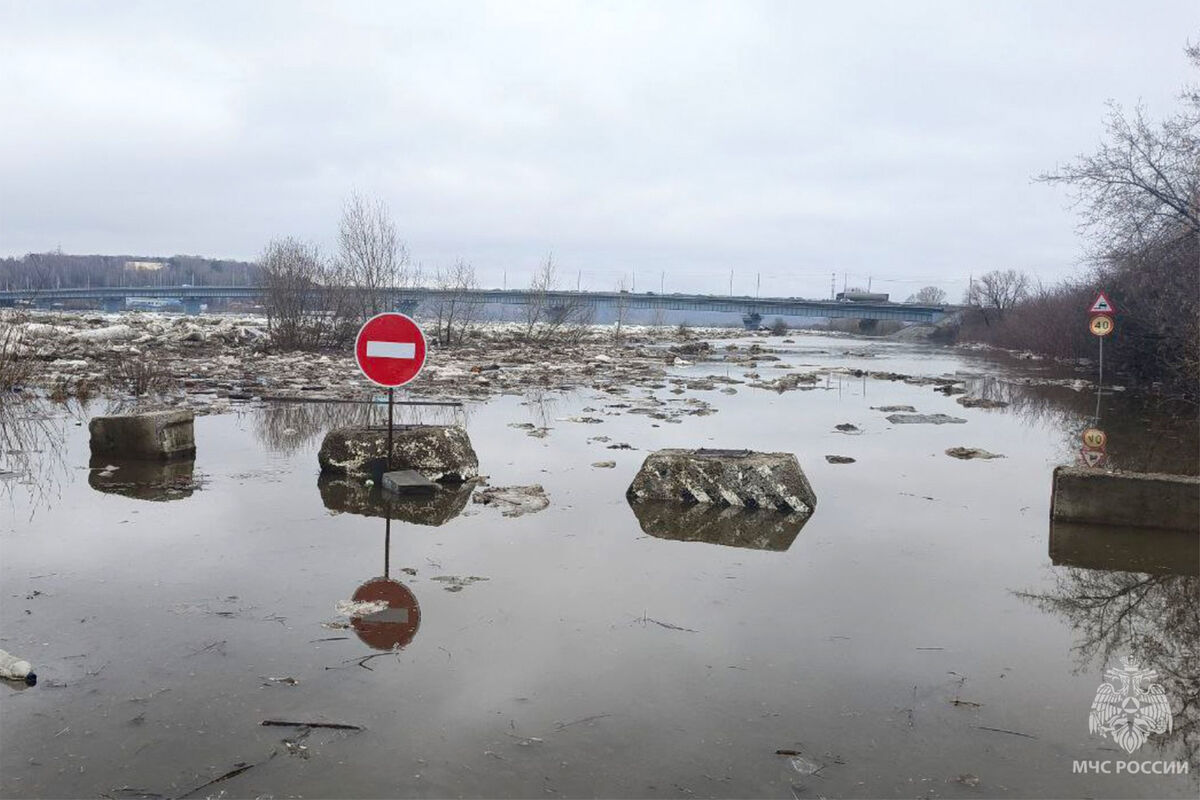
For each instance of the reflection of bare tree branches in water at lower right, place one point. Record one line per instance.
(1155, 619)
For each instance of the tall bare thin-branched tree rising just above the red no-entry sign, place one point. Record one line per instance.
(371, 255)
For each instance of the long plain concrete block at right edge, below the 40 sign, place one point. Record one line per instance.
(1133, 500)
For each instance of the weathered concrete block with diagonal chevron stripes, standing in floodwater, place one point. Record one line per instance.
(734, 478)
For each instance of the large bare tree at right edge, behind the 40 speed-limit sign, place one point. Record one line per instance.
(1141, 207)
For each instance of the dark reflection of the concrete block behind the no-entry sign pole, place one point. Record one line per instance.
(351, 496)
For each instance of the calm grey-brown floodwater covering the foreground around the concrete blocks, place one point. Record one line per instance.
(914, 639)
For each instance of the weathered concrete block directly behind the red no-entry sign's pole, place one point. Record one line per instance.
(436, 452)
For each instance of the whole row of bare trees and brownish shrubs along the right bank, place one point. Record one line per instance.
(1139, 202)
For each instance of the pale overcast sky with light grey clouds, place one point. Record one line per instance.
(671, 141)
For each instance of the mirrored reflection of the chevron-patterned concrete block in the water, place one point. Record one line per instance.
(764, 530)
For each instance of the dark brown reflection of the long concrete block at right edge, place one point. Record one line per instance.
(1114, 548)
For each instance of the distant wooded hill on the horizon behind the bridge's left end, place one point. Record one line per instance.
(58, 269)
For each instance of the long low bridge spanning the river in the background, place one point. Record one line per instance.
(753, 310)
